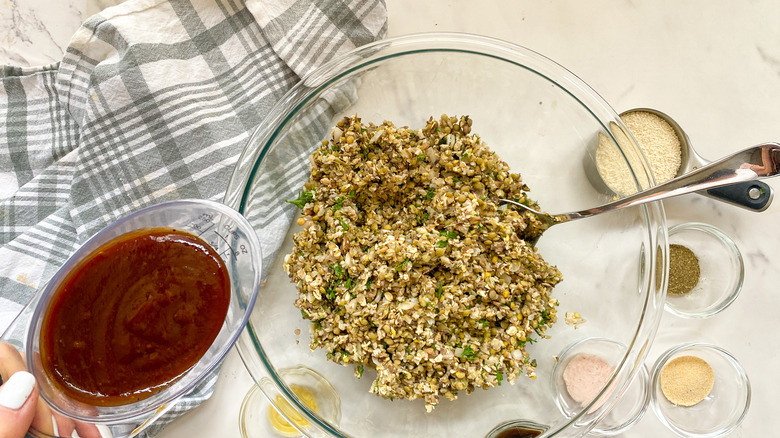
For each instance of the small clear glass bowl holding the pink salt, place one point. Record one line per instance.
(631, 405)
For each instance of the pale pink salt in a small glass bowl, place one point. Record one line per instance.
(585, 375)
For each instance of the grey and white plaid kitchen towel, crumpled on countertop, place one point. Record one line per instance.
(152, 101)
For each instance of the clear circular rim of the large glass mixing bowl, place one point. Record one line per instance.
(317, 80)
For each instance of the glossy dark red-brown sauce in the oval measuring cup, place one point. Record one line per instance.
(133, 316)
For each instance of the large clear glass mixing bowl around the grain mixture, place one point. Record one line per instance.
(540, 119)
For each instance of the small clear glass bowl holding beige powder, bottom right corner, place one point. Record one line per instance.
(721, 411)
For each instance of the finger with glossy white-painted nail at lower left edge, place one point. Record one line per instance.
(18, 399)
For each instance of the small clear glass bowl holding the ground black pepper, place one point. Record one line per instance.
(722, 271)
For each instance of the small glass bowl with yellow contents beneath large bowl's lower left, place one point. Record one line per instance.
(254, 417)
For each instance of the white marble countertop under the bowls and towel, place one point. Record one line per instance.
(714, 66)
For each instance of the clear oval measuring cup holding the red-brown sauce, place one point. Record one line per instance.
(229, 234)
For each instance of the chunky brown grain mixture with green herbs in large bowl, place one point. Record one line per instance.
(407, 263)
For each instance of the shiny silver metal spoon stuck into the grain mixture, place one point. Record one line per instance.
(757, 162)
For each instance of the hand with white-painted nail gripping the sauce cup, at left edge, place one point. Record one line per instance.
(18, 394)
